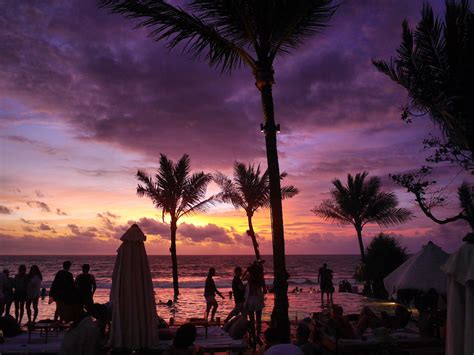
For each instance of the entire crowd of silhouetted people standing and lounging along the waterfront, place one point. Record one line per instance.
(74, 299)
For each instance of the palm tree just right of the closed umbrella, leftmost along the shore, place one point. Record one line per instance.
(177, 193)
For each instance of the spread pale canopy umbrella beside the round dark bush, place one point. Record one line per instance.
(422, 271)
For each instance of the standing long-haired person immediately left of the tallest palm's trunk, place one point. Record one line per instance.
(255, 298)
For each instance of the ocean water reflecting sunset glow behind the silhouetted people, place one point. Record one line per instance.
(192, 270)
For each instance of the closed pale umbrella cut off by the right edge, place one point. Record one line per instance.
(460, 322)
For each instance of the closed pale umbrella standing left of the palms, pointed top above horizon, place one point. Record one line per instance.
(134, 309)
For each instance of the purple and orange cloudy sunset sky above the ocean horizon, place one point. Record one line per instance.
(86, 100)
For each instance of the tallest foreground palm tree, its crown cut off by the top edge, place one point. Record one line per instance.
(228, 34)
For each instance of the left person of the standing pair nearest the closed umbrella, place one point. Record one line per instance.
(63, 289)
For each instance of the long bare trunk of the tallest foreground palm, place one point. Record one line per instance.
(280, 318)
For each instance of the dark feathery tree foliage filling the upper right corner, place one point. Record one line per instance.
(435, 64)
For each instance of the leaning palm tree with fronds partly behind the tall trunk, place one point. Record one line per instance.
(250, 191)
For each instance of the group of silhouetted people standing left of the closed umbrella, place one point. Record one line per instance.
(24, 290)
